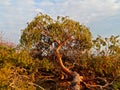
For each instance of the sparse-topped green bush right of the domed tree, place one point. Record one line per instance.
(106, 58)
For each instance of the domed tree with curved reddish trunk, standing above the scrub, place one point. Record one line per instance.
(57, 37)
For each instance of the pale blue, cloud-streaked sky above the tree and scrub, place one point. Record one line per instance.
(101, 16)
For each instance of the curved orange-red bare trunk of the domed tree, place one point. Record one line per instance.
(75, 84)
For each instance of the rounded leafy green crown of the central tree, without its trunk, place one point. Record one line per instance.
(44, 33)
